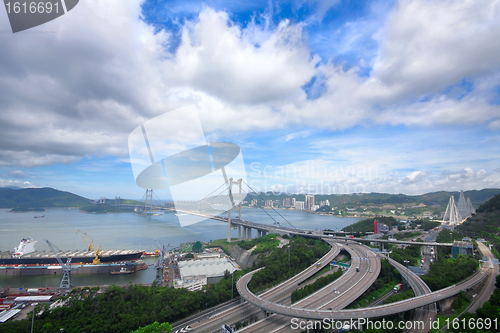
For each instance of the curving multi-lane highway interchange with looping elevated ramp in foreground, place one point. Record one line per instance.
(330, 302)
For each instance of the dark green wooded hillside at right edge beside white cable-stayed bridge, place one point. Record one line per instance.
(485, 223)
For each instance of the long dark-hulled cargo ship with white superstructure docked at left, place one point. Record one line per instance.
(25, 254)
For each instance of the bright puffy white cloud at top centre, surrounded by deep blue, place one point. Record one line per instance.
(221, 60)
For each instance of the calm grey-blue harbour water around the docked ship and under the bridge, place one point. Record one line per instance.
(127, 231)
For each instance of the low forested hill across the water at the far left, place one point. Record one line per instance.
(39, 197)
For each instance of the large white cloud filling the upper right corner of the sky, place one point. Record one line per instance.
(430, 45)
